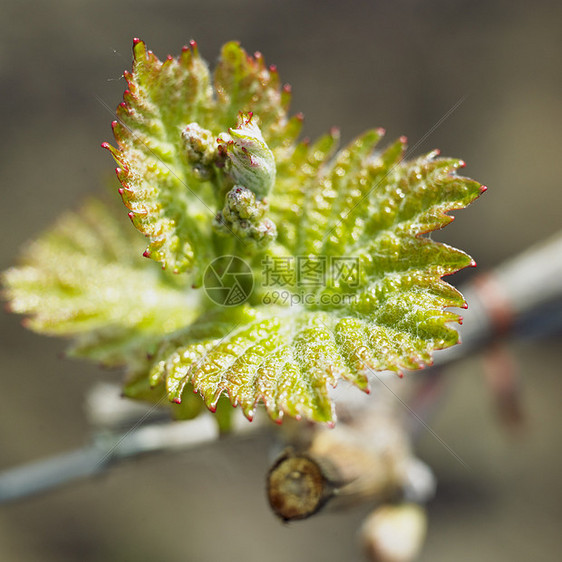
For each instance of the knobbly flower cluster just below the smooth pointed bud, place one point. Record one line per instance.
(243, 216)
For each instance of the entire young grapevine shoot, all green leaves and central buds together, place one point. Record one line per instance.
(361, 216)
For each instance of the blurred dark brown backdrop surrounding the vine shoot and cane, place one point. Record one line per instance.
(402, 65)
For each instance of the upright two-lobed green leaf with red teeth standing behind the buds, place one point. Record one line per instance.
(169, 200)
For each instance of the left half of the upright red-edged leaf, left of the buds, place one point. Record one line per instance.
(167, 202)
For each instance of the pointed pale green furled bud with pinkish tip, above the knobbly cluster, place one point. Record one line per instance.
(249, 161)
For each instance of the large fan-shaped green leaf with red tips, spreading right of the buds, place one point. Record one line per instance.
(372, 210)
